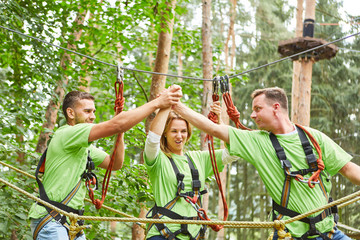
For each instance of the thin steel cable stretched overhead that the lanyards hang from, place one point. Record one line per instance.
(177, 76)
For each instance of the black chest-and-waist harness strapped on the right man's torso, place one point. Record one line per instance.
(299, 176)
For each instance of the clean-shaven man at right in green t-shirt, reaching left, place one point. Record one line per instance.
(270, 113)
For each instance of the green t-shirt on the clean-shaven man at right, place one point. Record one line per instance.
(256, 148)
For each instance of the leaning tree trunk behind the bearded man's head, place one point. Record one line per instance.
(54, 105)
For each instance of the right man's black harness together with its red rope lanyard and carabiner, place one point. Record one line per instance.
(316, 166)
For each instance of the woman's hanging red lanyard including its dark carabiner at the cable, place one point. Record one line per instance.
(210, 141)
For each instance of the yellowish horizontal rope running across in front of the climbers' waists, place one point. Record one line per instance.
(279, 225)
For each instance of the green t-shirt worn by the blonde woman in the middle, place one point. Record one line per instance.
(164, 184)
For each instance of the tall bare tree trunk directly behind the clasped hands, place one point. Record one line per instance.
(158, 84)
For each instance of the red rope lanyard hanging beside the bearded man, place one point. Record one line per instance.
(119, 105)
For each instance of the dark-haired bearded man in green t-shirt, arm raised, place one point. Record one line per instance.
(70, 146)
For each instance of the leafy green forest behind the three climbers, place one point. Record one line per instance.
(34, 77)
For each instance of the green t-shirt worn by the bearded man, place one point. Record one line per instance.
(65, 162)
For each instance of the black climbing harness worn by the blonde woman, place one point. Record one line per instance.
(193, 198)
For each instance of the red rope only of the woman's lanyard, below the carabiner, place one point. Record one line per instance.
(210, 140)
